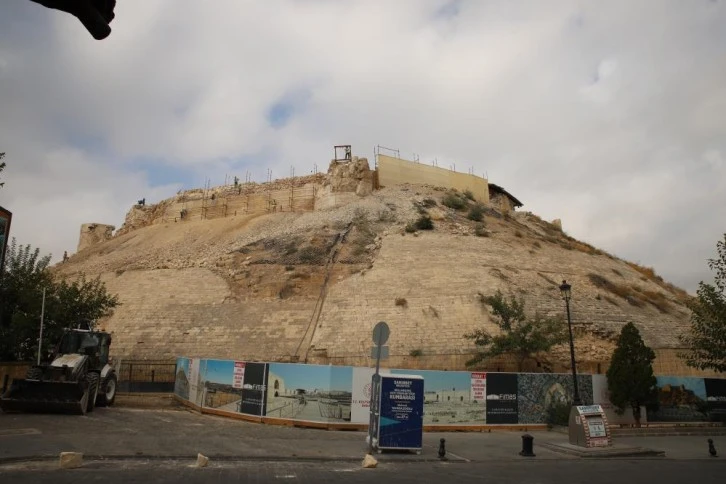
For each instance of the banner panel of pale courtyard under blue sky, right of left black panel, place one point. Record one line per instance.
(314, 393)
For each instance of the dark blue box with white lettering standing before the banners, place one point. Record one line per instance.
(401, 412)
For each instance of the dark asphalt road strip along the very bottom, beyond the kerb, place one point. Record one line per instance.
(534, 472)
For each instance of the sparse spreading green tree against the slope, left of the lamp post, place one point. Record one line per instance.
(519, 336)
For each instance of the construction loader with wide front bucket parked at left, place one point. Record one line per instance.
(78, 378)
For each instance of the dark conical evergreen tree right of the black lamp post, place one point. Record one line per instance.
(630, 377)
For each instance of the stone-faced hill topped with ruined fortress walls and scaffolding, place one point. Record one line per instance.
(301, 269)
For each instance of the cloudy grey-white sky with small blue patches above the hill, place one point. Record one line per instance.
(608, 115)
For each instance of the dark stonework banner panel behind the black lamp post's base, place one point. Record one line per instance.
(537, 392)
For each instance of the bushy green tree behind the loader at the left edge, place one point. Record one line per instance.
(67, 303)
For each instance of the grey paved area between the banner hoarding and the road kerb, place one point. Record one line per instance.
(122, 433)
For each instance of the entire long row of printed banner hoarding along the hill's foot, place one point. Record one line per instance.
(337, 394)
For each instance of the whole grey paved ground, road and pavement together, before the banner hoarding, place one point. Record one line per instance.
(129, 445)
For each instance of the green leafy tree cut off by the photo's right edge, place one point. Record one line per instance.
(706, 340)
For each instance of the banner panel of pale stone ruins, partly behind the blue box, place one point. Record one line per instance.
(448, 397)
